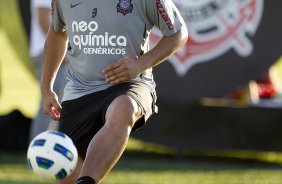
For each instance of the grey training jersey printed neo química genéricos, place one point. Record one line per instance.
(103, 31)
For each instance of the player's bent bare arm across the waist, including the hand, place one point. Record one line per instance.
(128, 68)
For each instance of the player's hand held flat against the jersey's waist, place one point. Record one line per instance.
(123, 70)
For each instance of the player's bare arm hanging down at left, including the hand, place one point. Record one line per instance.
(54, 52)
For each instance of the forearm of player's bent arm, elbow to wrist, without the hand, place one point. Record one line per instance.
(166, 47)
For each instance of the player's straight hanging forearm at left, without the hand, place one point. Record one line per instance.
(54, 52)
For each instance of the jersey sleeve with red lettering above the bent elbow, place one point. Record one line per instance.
(164, 15)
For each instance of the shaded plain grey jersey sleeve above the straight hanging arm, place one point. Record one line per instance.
(57, 17)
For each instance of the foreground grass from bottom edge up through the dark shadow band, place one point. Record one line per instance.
(155, 169)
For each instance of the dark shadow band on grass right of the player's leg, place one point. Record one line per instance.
(137, 162)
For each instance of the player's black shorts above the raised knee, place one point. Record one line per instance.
(83, 117)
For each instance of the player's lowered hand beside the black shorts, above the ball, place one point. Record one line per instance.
(51, 106)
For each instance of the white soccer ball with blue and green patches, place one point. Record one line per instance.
(52, 154)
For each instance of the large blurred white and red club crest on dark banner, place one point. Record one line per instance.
(215, 27)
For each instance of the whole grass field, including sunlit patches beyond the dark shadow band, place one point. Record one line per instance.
(145, 163)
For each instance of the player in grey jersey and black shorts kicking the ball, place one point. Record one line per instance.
(110, 90)
